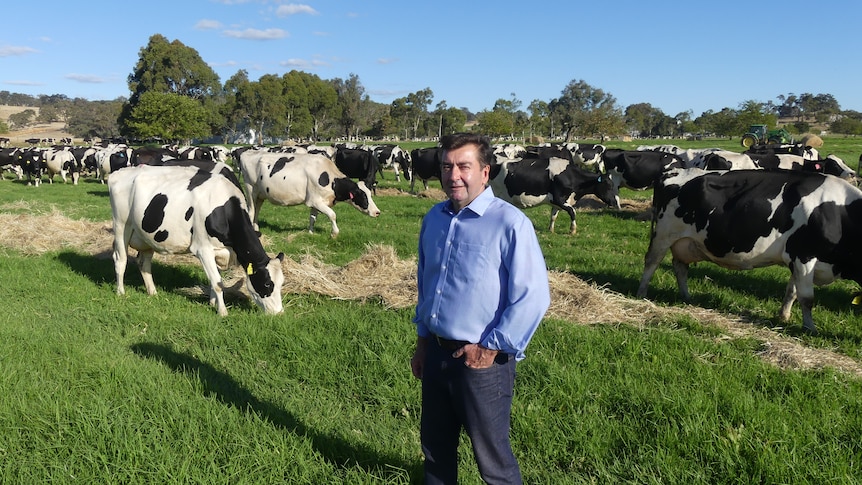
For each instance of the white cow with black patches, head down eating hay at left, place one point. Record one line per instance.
(191, 209)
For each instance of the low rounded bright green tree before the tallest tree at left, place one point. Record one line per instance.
(168, 116)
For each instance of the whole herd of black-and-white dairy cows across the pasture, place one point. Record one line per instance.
(772, 205)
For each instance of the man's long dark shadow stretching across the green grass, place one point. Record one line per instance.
(220, 385)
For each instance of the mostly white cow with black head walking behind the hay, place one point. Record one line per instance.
(301, 178)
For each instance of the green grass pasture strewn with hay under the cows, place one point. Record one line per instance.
(96, 388)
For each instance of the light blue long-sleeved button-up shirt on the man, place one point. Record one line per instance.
(481, 275)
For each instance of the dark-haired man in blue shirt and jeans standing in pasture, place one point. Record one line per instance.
(483, 289)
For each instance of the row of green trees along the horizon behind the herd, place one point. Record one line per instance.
(176, 96)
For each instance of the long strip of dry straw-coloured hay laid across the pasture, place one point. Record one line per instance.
(391, 281)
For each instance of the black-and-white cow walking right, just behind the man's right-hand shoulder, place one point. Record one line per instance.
(532, 181)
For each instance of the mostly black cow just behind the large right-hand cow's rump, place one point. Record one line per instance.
(637, 169)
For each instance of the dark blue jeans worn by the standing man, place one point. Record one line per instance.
(480, 401)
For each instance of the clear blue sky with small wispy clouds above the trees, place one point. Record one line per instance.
(674, 55)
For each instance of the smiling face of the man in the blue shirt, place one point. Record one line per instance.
(463, 176)
